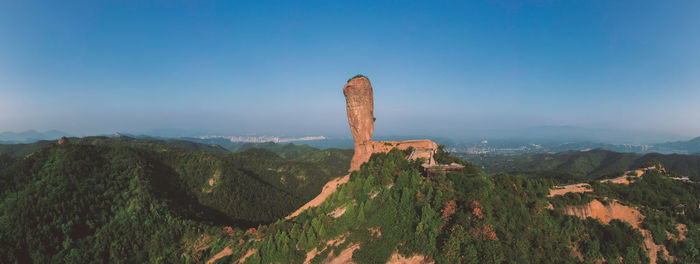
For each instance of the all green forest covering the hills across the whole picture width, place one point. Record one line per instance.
(123, 200)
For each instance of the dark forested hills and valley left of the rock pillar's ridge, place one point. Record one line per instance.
(100, 199)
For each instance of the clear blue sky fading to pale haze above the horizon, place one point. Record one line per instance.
(278, 68)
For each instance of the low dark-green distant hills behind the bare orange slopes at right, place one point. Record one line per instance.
(575, 166)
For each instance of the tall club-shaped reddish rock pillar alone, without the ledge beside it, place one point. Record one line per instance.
(360, 106)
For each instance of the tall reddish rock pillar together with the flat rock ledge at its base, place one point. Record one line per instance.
(360, 107)
